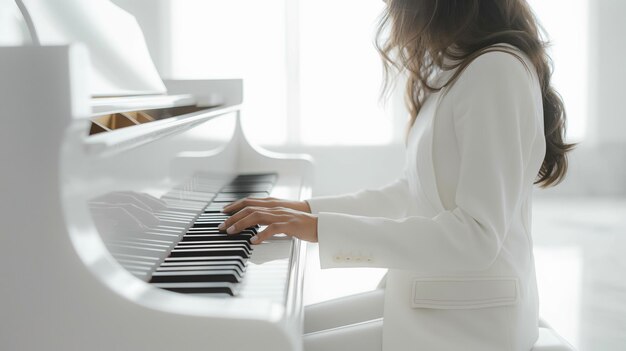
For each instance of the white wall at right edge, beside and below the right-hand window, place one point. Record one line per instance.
(598, 165)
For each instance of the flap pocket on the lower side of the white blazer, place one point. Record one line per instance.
(464, 292)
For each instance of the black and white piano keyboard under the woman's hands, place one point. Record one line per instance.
(207, 260)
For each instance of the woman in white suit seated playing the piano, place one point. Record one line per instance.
(454, 230)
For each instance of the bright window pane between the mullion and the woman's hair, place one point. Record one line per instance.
(341, 74)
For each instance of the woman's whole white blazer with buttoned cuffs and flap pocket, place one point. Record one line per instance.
(454, 231)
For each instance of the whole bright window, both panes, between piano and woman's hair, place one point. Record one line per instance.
(331, 93)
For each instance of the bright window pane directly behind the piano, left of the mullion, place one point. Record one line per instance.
(237, 39)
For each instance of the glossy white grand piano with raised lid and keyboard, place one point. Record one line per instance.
(111, 189)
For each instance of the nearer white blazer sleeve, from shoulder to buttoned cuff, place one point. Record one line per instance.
(495, 109)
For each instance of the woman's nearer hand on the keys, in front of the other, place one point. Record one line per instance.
(277, 219)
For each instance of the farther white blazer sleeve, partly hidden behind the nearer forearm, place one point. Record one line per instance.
(390, 201)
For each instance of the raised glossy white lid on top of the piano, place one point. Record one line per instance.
(120, 62)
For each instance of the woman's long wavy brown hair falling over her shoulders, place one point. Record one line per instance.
(418, 36)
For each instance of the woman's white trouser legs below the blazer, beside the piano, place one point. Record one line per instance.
(353, 322)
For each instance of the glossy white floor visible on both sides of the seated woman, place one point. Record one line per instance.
(580, 253)
